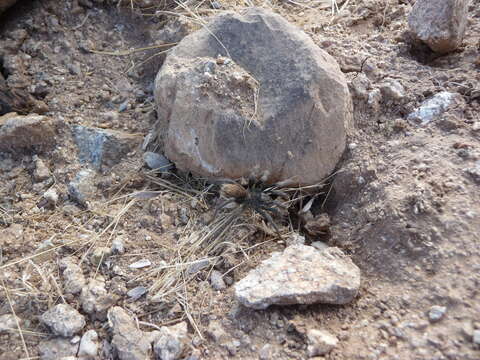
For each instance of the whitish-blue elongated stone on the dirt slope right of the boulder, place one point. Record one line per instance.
(433, 107)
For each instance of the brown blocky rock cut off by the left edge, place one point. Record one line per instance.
(32, 132)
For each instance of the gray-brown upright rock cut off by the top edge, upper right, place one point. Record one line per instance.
(440, 24)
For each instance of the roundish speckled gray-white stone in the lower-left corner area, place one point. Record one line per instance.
(63, 320)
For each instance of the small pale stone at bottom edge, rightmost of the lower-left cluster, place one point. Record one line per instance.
(171, 342)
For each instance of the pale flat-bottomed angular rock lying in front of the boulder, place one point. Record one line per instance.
(300, 275)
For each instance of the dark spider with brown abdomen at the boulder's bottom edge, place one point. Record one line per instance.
(253, 197)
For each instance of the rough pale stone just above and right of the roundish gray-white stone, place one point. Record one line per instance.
(95, 299)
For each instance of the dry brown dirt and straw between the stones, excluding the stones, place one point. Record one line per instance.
(405, 203)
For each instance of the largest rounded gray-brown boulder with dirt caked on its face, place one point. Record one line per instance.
(273, 105)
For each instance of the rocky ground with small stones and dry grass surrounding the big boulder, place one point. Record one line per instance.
(101, 258)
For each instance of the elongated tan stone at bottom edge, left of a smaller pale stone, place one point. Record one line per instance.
(129, 342)
